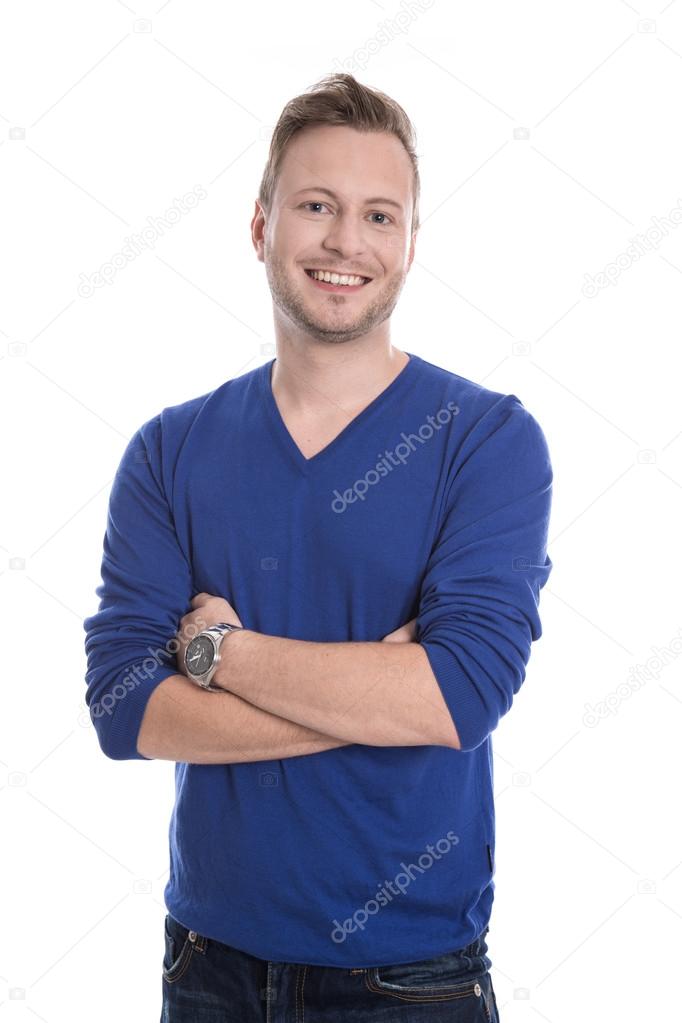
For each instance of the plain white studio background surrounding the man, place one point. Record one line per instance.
(549, 138)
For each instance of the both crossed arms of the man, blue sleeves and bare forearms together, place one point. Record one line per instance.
(479, 615)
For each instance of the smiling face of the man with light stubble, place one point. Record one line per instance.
(323, 219)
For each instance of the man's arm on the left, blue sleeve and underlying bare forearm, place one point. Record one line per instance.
(140, 703)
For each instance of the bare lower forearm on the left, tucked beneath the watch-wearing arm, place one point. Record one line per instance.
(186, 724)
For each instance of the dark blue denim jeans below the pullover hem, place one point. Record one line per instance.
(206, 982)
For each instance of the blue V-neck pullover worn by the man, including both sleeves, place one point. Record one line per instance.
(434, 503)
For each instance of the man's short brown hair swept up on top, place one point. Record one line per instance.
(340, 100)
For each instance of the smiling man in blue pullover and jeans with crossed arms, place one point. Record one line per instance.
(321, 588)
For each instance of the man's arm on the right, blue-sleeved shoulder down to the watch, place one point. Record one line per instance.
(478, 615)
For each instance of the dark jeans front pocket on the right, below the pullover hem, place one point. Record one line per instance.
(458, 975)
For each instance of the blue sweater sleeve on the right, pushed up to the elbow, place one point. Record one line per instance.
(480, 596)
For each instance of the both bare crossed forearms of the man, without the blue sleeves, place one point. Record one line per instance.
(291, 698)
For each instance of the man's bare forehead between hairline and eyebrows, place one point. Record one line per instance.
(352, 164)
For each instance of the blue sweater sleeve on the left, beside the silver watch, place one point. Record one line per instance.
(147, 589)
